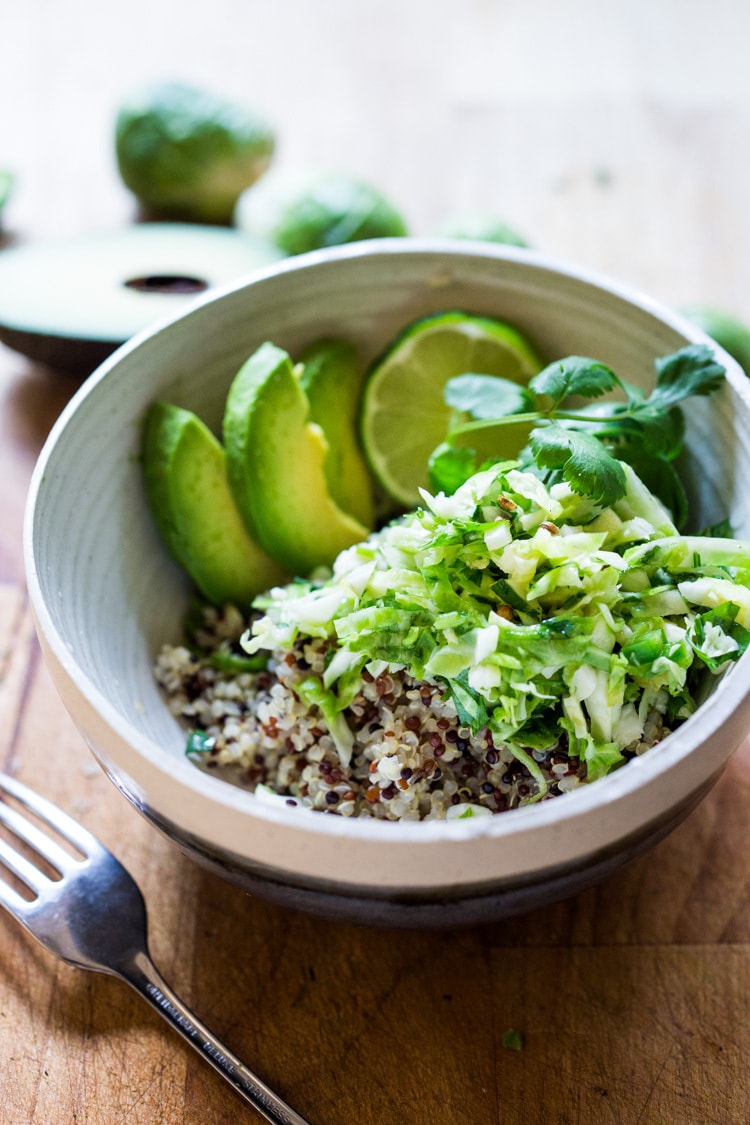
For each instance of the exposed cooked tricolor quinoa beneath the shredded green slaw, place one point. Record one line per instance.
(412, 760)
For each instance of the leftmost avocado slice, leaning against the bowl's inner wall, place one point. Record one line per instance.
(185, 471)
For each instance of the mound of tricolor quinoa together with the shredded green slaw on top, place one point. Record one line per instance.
(499, 647)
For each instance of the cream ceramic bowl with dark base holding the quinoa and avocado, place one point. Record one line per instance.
(106, 596)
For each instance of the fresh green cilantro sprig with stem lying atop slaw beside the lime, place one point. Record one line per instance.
(583, 445)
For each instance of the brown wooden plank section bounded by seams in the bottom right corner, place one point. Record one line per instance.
(643, 1034)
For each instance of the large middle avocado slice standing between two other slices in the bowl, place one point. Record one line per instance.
(276, 465)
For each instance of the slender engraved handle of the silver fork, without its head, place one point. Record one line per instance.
(143, 976)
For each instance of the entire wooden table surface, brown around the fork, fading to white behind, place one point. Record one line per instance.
(618, 137)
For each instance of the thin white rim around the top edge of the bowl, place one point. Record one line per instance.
(211, 789)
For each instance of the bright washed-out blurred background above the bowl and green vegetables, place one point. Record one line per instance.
(611, 134)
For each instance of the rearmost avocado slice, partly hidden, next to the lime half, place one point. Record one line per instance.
(331, 380)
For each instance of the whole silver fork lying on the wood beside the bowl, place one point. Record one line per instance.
(95, 917)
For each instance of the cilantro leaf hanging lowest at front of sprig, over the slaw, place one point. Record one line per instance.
(586, 465)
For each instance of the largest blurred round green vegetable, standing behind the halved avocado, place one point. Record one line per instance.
(188, 155)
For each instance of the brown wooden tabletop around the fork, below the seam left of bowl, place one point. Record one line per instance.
(631, 1000)
